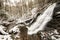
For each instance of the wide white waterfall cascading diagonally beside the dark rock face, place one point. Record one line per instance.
(41, 20)
